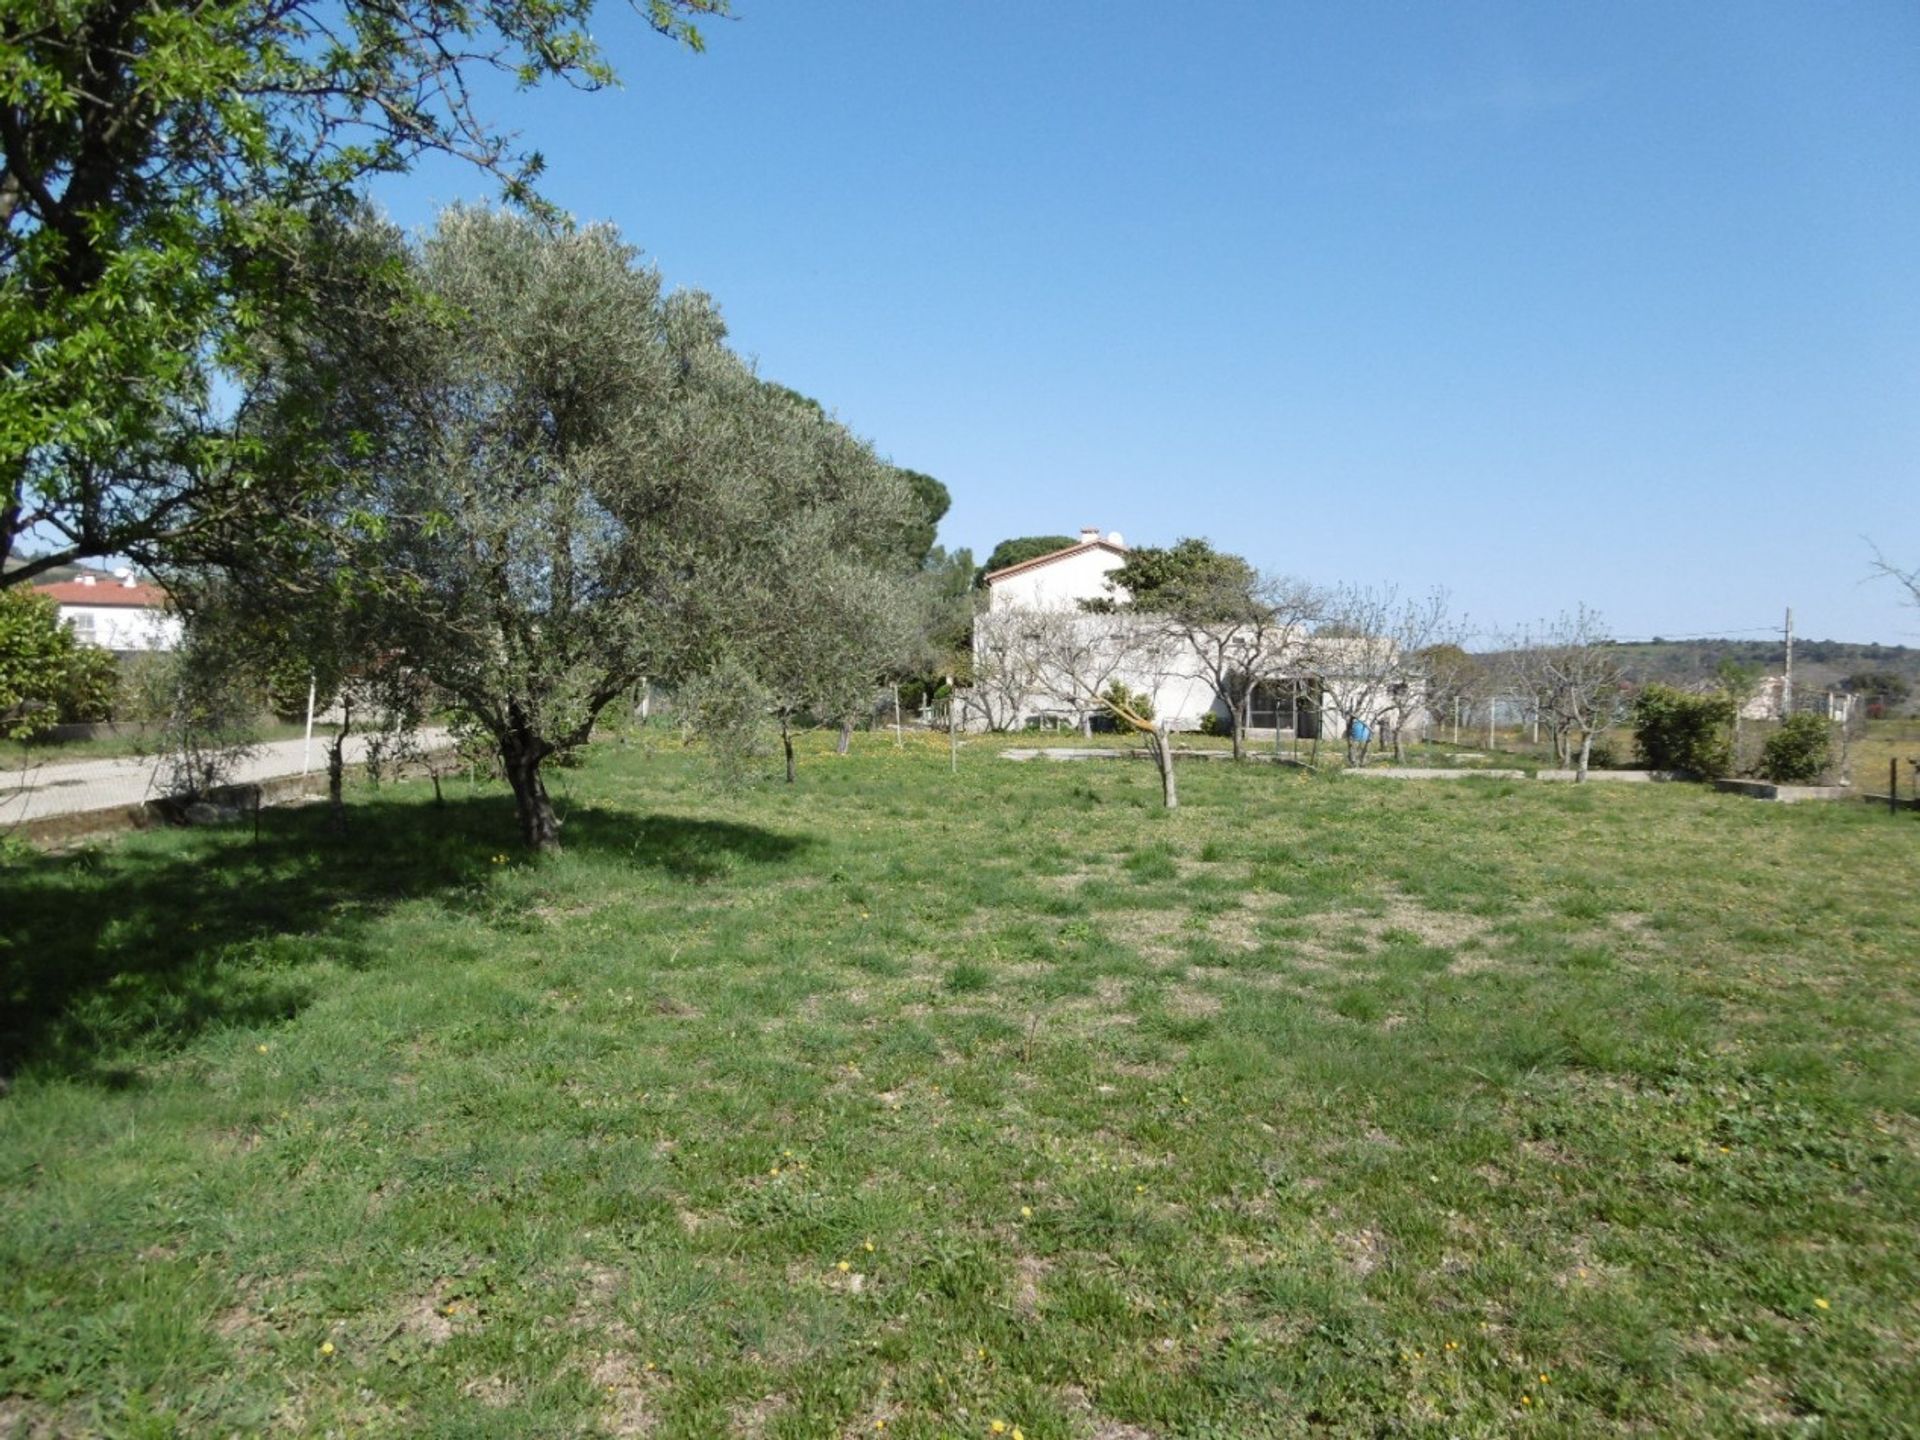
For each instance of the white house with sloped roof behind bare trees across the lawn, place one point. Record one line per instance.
(1318, 694)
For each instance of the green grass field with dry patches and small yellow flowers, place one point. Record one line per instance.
(971, 1105)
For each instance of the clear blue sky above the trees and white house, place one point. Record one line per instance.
(1545, 304)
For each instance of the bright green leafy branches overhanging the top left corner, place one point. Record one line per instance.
(160, 172)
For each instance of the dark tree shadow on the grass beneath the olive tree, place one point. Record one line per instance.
(112, 955)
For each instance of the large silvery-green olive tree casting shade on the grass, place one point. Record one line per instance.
(556, 479)
